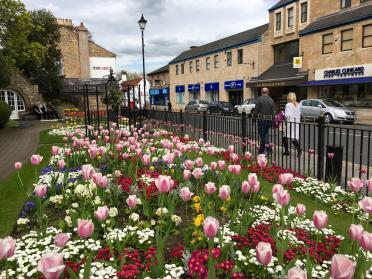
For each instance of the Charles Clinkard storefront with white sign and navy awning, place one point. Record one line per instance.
(351, 85)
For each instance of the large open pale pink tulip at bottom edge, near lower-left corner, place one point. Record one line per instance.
(51, 265)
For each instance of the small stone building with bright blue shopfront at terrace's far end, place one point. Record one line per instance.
(159, 91)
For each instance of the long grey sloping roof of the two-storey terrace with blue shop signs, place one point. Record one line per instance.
(246, 37)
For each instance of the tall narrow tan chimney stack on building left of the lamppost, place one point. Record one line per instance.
(83, 51)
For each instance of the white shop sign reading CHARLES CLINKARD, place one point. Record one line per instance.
(344, 72)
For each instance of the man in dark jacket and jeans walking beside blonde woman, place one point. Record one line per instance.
(264, 112)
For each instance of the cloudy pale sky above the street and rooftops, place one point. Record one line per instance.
(173, 25)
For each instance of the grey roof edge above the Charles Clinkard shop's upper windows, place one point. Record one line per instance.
(341, 18)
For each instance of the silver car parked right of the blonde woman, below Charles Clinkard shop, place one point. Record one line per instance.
(332, 110)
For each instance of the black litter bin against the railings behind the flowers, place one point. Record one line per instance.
(334, 165)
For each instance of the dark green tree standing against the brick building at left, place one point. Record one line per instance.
(46, 74)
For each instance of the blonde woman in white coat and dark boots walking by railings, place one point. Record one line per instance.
(293, 118)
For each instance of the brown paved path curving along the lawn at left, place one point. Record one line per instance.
(18, 144)
